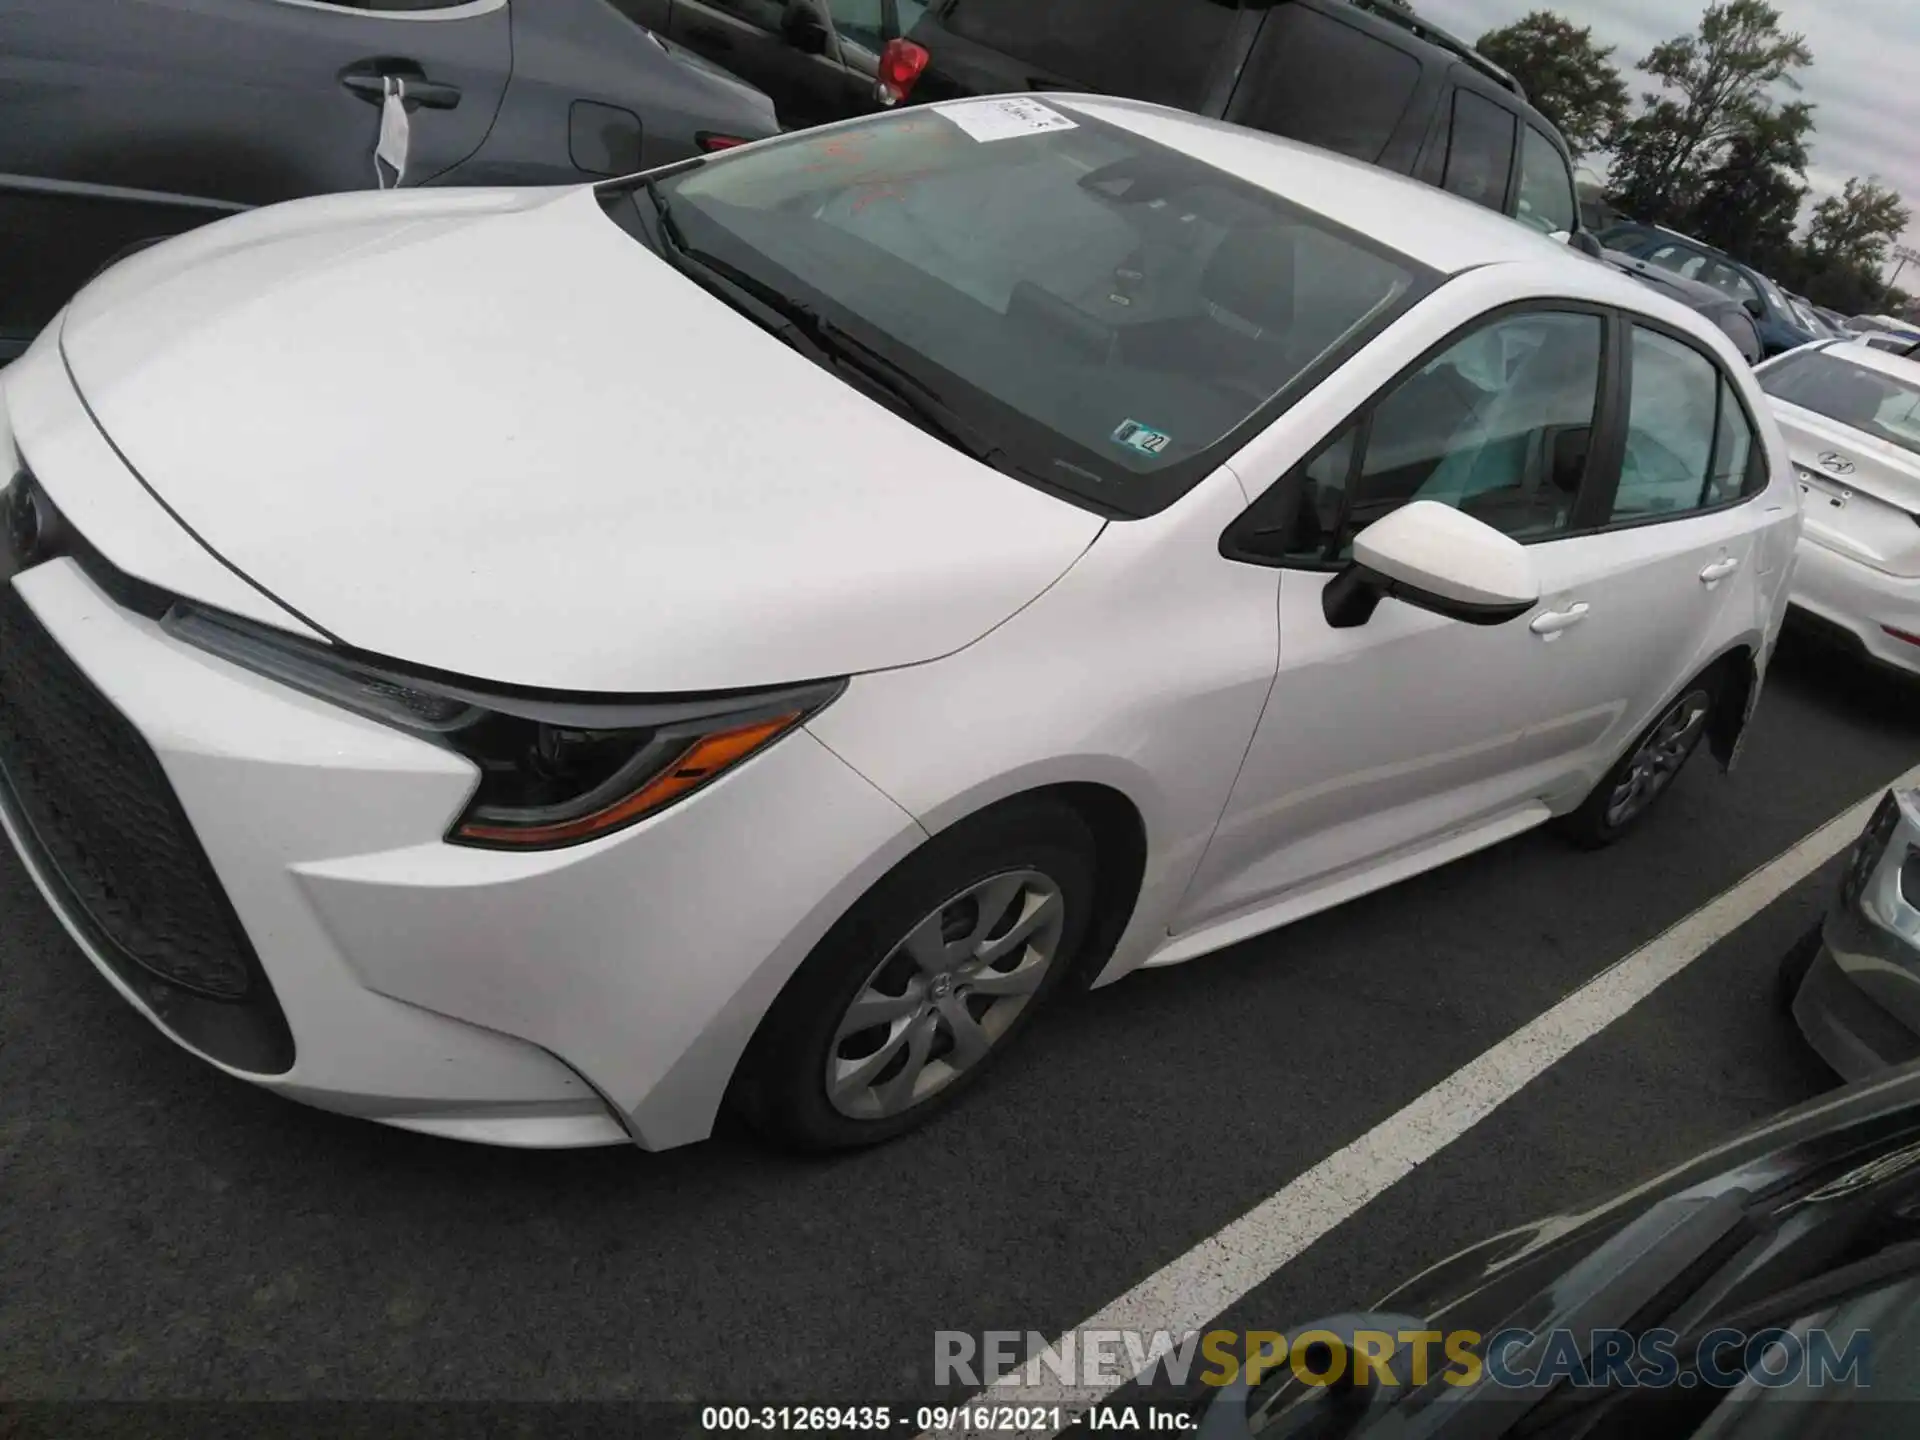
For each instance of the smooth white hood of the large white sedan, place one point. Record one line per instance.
(491, 433)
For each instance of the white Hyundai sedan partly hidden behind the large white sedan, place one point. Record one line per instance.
(1852, 418)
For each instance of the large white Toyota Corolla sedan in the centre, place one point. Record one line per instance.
(539, 667)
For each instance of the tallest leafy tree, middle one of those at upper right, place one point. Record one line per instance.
(1714, 89)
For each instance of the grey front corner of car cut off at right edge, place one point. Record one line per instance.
(1860, 1005)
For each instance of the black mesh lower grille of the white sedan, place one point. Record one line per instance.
(105, 827)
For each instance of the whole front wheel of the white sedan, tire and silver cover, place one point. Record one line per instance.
(926, 982)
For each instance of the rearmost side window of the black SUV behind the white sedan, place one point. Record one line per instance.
(1326, 84)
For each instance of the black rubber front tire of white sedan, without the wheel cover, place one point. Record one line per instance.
(782, 1084)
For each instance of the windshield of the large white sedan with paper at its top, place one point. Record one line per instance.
(1103, 312)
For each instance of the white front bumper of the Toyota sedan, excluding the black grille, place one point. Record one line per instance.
(552, 999)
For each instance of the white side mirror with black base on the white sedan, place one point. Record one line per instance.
(1439, 560)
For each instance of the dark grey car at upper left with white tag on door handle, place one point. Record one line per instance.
(126, 124)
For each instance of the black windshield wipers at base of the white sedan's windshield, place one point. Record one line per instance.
(828, 345)
